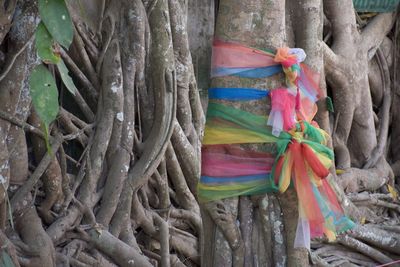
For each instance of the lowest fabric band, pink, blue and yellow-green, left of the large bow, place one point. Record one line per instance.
(228, 170)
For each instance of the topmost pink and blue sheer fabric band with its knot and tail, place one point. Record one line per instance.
(231, 59)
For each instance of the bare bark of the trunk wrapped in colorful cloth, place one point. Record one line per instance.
(258, 24)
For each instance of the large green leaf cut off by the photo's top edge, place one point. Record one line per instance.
(55, 15)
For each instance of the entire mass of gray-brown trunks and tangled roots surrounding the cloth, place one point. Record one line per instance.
(119, 188)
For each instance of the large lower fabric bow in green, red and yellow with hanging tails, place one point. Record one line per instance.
(305, 160)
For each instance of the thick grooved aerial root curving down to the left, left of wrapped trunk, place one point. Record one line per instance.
(165, 99)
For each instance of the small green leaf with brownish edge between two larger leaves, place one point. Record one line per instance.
(46, 45)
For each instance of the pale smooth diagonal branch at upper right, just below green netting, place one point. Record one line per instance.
(375, 31)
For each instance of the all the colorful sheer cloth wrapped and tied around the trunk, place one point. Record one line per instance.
(297, 155)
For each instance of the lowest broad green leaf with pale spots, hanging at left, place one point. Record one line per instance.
(44, 94)
